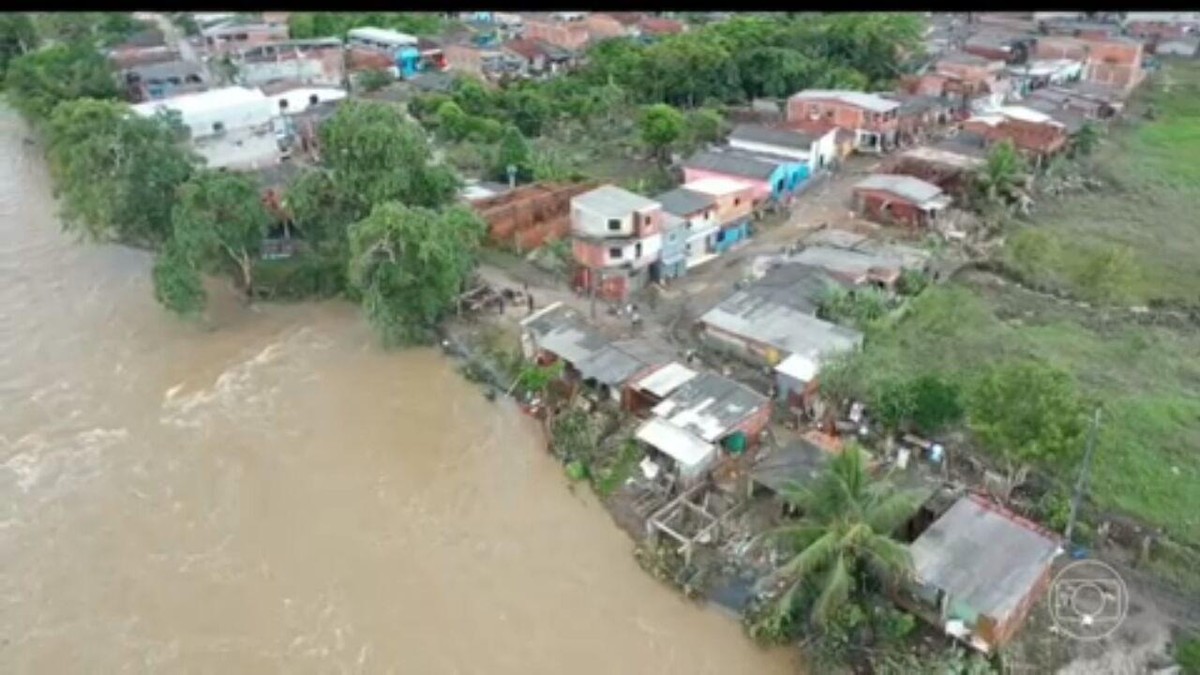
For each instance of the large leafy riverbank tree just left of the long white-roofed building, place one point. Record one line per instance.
(117, 174)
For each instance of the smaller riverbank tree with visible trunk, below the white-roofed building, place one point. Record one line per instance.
(219, 225)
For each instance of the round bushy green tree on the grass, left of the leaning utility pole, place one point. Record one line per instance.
(1027, 413)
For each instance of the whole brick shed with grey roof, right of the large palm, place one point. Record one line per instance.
(979, 571)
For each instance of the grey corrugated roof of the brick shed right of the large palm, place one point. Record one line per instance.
(983, 557)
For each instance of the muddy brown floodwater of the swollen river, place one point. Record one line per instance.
(280, 495)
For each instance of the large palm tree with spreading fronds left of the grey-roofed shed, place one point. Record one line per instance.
(843, 539)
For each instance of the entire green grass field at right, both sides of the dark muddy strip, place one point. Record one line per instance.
(1148, 462)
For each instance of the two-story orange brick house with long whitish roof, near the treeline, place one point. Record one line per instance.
(874, 120)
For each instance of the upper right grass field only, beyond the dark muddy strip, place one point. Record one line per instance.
(1149, 217)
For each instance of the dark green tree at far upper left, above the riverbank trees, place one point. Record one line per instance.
(39, 81)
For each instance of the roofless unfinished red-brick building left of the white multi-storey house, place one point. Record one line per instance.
(531, 216)
